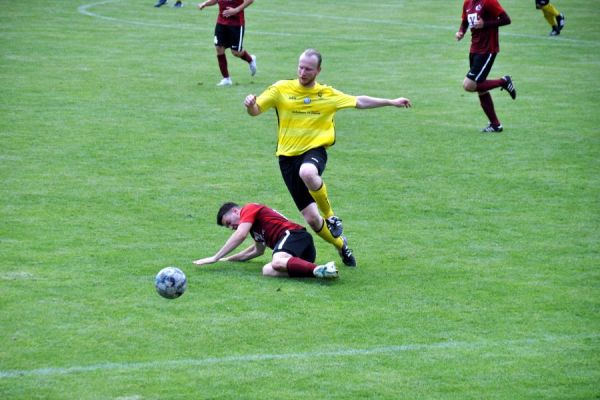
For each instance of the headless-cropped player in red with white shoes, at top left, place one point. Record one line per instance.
(229, 33)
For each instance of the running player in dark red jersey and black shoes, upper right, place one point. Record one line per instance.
(484, 17)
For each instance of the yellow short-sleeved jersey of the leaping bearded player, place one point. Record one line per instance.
(304, 115)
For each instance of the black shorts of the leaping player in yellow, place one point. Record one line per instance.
(290, 171)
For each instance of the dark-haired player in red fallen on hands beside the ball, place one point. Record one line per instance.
(294, 252)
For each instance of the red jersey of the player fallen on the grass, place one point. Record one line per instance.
(268, 226)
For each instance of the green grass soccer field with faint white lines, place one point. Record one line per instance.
(478, 254)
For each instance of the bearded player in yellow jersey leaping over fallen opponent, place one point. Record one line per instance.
(305, 114)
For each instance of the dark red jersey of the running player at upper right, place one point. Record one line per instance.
(483, 40)
